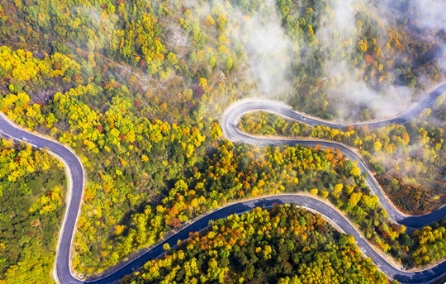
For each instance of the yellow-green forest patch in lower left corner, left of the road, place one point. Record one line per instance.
(31, 197)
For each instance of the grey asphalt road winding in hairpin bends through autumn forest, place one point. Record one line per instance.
(76, 177)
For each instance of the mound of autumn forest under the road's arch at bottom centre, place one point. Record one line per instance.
(284, 245)
